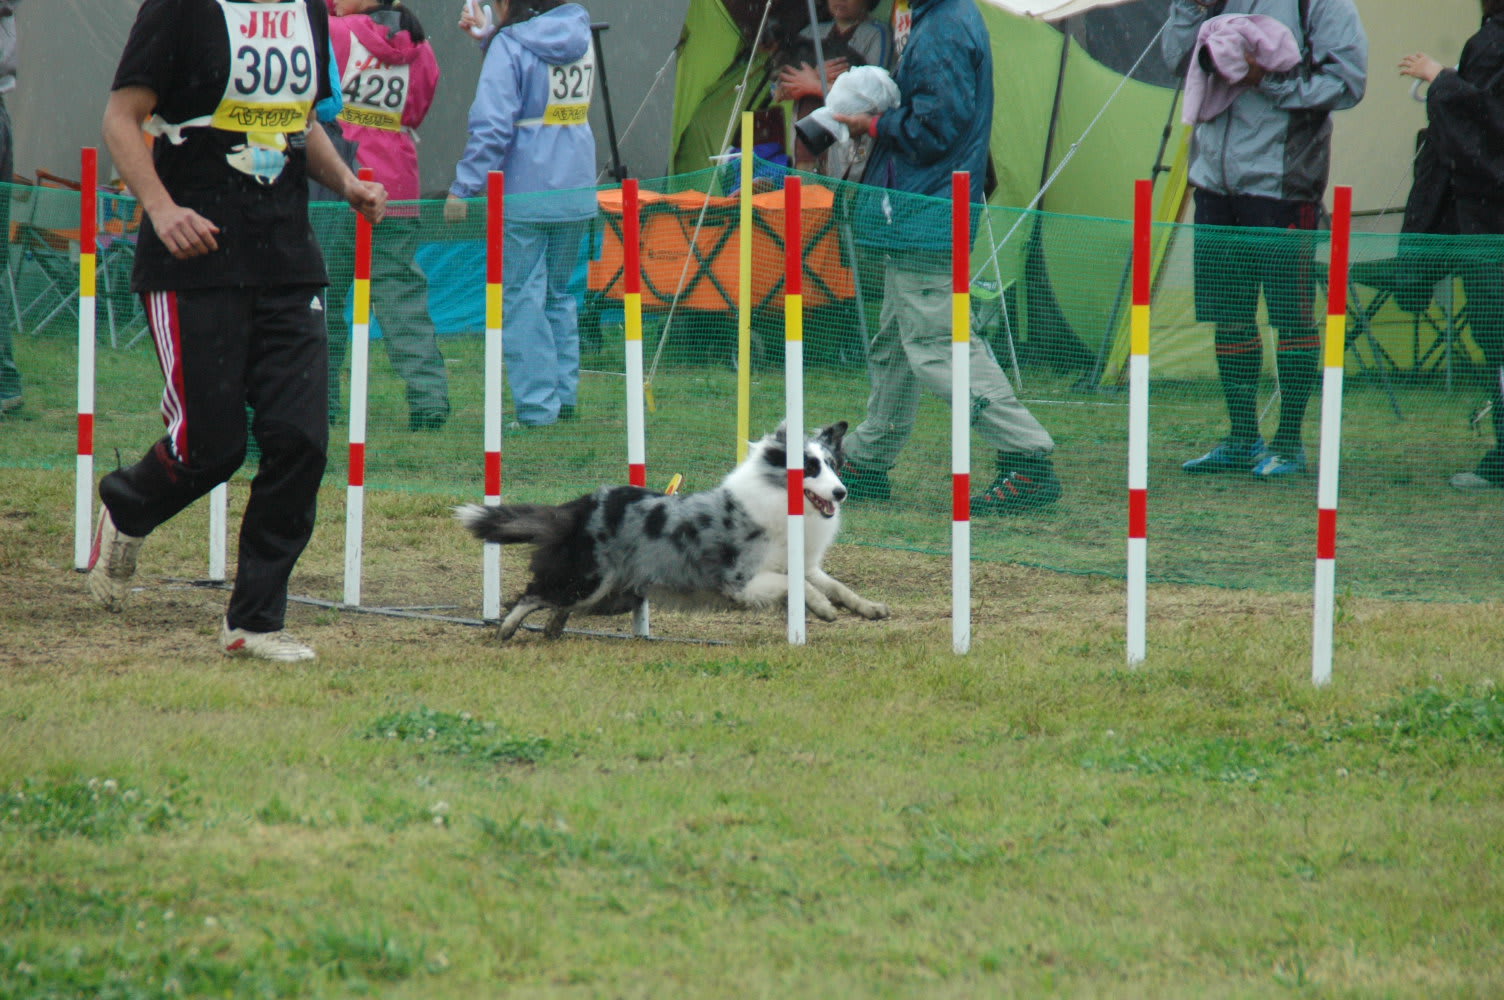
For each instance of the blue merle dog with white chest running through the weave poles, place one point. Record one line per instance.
(610, 551)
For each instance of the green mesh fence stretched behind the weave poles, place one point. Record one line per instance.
(1051, 298)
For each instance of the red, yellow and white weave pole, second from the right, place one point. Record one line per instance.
(1139, 426)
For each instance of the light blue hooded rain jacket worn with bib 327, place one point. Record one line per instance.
(508, 130)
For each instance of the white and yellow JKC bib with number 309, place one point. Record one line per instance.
(273, 70)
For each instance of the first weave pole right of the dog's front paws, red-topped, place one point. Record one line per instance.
(960, 411)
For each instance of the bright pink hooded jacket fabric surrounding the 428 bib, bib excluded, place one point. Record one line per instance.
(393, 157)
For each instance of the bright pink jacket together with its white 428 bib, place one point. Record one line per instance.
(386, 74)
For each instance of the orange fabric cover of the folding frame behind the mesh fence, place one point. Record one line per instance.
(709, 282)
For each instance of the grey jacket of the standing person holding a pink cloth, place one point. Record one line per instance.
(1276, 139)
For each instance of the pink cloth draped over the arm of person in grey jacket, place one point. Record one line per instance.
(1230, 41)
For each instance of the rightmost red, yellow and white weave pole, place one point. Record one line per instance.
(1333, 353)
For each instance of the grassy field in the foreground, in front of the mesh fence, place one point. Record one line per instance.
(423, 813)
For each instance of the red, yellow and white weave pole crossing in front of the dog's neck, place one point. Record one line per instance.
(795, 402)
